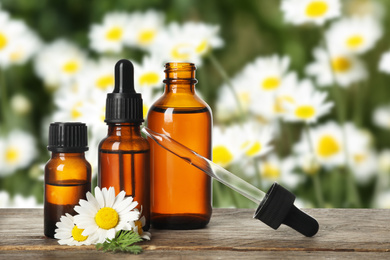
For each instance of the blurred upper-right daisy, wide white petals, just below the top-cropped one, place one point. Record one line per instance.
(355, 34)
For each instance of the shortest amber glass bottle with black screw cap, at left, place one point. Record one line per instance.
(67, 173)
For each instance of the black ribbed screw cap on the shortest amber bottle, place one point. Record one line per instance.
(68, 137)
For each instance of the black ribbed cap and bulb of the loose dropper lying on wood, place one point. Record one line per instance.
(278, 208)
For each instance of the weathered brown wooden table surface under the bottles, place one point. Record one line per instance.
(231, 234)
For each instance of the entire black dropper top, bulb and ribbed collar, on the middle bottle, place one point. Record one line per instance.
(124, 105)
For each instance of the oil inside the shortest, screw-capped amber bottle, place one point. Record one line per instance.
(61, 198)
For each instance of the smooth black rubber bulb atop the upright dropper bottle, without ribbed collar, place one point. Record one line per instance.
(124, 77)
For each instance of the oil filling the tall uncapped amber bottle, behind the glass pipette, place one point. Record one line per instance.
(181, 194)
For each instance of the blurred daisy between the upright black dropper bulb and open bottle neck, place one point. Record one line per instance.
(150, 73)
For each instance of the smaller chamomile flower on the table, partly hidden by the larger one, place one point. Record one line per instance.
(69, 234)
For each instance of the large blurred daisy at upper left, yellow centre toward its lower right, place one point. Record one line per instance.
(59, 62)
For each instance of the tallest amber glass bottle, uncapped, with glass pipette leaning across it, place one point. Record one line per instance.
(180, 193)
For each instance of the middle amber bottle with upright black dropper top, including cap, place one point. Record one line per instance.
(124, 153)
